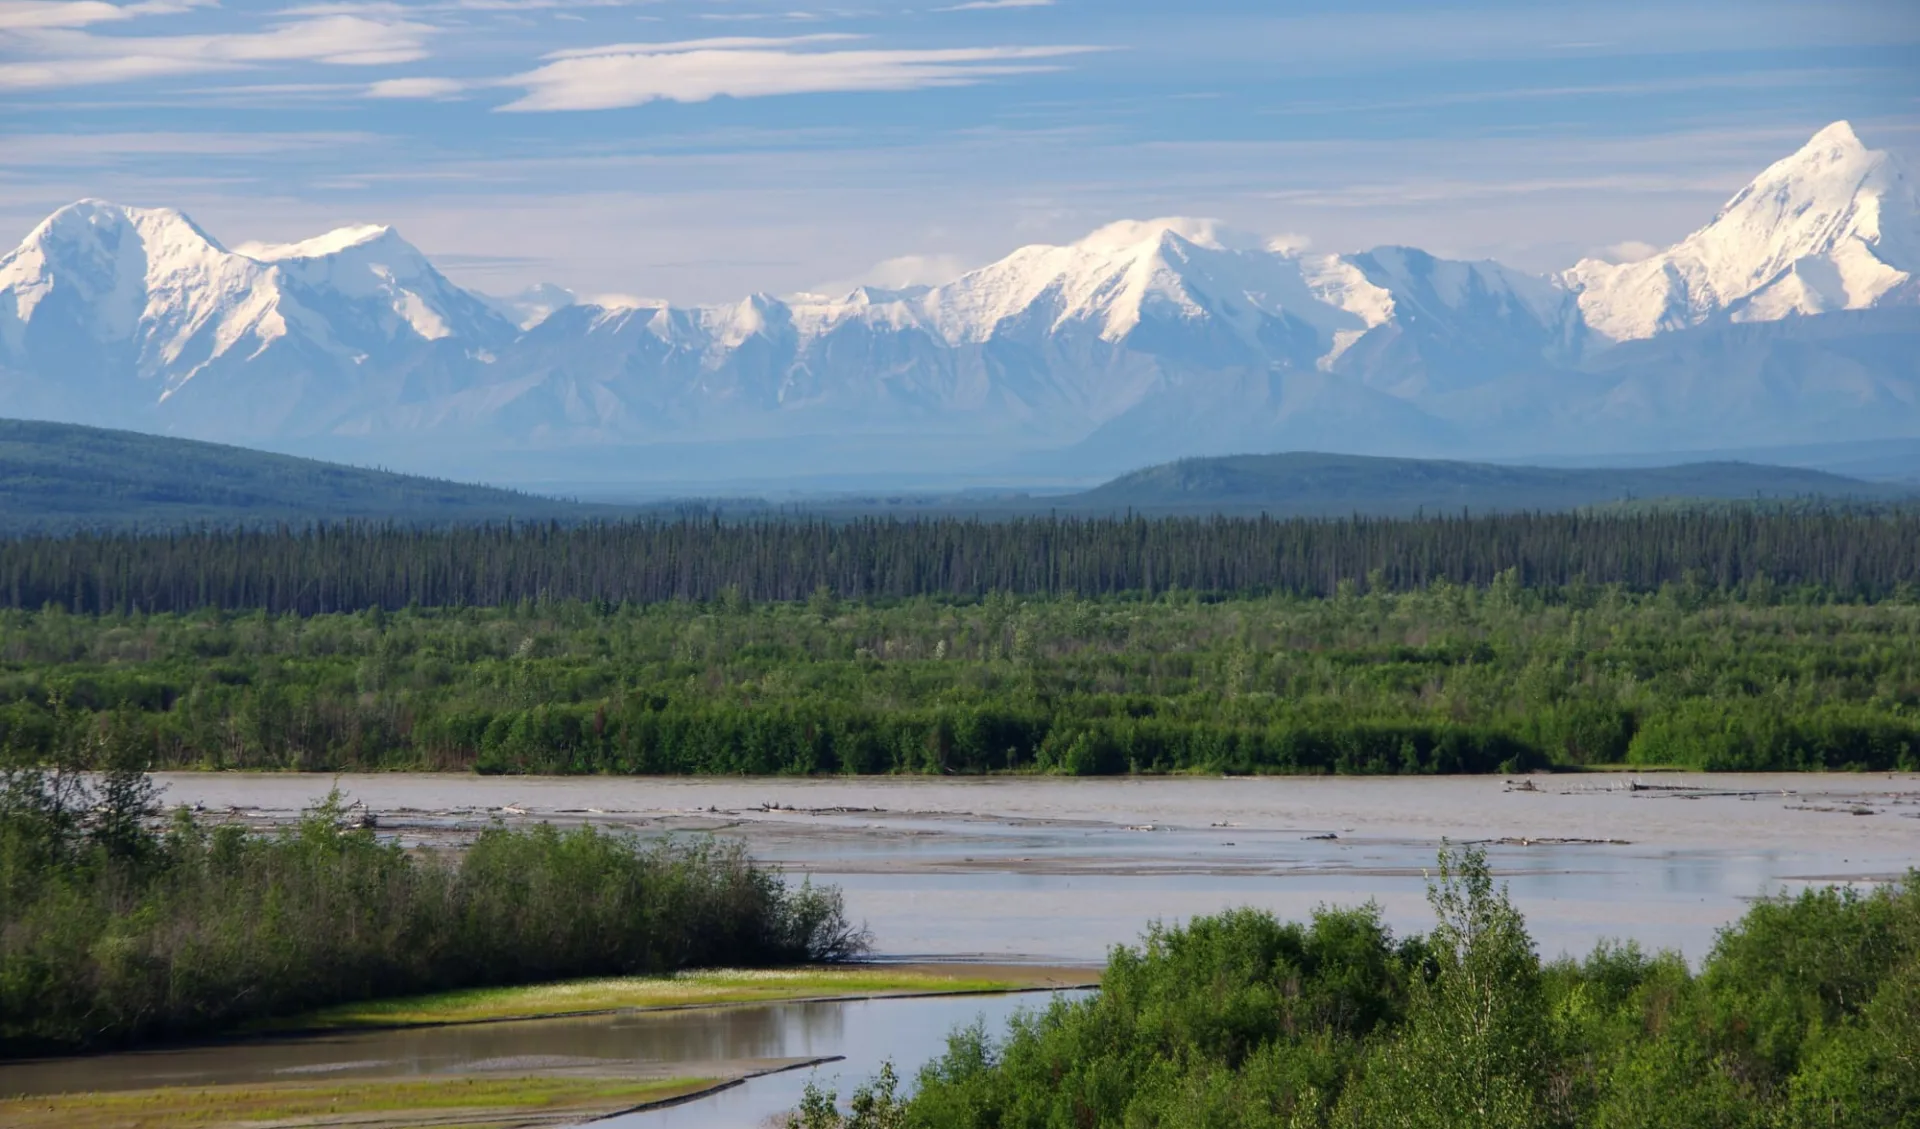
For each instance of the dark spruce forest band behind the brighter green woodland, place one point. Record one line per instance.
(350, 567)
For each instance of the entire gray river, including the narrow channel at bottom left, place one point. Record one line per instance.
(1057, 871)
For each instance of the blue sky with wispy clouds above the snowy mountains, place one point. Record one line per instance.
(698, 151)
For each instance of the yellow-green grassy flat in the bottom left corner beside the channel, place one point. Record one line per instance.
(496, 1103)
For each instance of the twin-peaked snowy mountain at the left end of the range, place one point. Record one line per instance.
(139, 318)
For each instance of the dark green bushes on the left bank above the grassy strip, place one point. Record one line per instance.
(112, 934)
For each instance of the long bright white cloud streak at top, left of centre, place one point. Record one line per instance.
(756, 68)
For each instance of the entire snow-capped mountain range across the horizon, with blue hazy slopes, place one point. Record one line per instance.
(1794, 316)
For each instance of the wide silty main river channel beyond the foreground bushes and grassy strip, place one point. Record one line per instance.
(1057, 871)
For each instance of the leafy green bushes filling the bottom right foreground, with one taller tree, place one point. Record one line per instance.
(1806, 1013)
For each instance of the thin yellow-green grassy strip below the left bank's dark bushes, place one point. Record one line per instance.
(675, 992)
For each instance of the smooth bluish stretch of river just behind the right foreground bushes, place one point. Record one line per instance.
(1573, 896)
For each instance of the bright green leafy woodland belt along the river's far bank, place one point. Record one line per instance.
(1445, 679)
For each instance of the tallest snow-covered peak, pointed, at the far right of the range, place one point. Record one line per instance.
(1836, 226)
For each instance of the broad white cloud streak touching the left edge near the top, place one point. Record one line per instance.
(74, 59)
